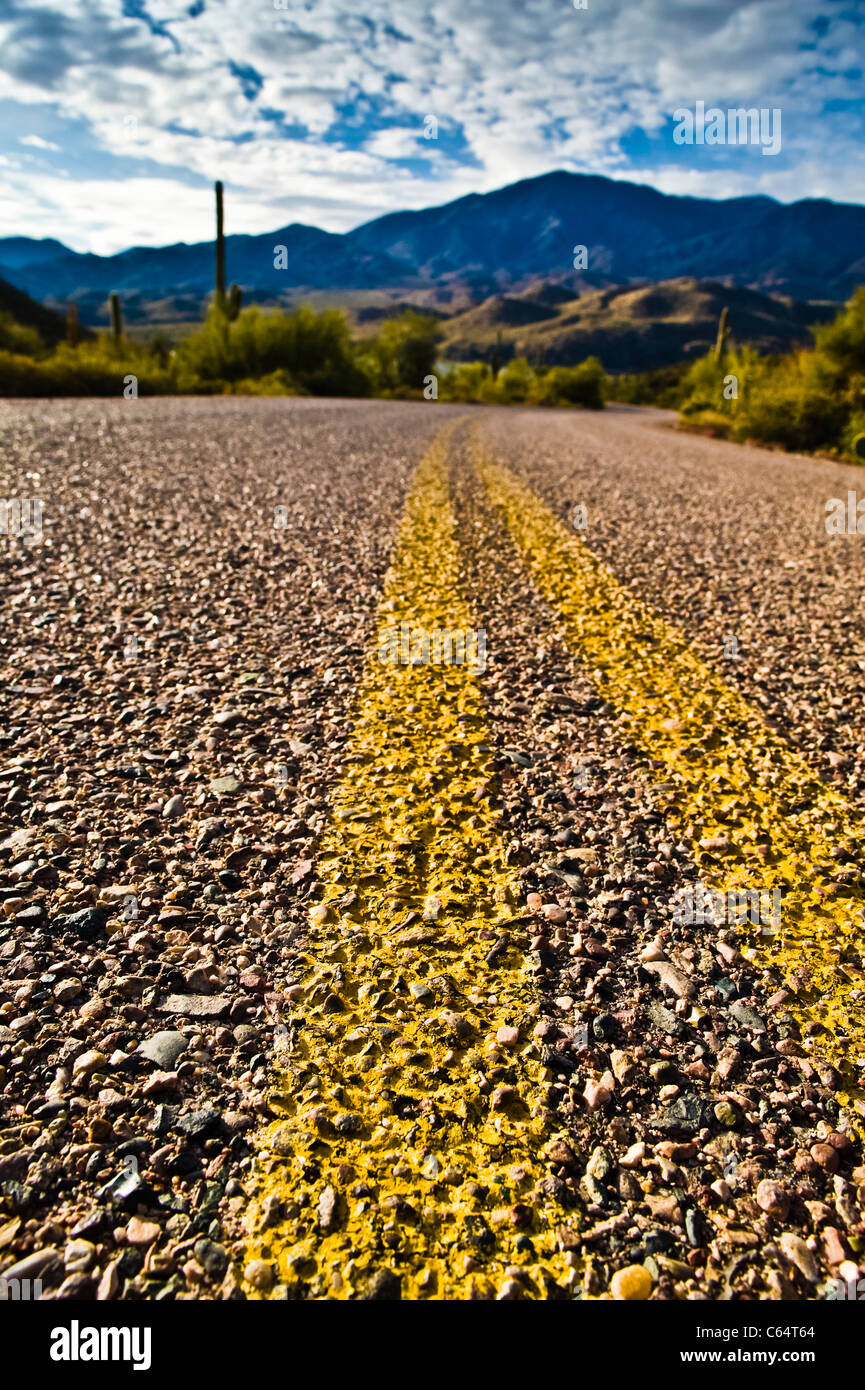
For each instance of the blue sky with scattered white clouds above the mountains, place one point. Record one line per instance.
(116, 116)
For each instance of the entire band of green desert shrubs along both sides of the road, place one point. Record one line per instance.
(809, 401)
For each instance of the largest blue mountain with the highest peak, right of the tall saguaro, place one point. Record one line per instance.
(814, 250)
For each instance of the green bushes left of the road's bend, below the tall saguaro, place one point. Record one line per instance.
(275, 354)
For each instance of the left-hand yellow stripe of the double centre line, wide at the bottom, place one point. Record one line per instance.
(394, 1156)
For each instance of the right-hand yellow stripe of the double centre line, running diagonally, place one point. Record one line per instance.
(722, 775)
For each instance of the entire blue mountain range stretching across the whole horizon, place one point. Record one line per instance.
(489, 244)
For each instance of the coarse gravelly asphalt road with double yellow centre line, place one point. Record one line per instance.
(429, 857)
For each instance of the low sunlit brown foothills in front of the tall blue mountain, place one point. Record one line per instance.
(629, 329)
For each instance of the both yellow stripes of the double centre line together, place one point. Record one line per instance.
(415, 1143)
